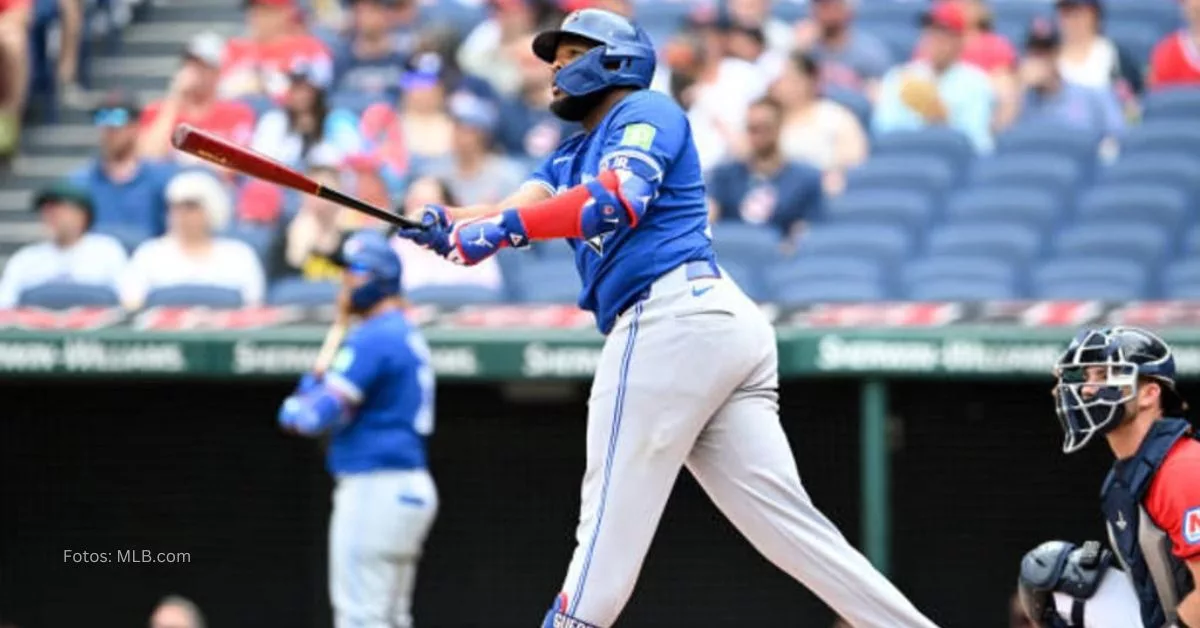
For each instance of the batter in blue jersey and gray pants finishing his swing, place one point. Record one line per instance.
(688, 373)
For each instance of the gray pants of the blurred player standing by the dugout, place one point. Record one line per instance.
(376, 535)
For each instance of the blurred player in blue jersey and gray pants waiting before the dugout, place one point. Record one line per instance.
(376, 405)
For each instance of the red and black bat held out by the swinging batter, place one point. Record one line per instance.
(224, 153)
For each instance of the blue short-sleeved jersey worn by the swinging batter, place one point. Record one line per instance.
(619, 268)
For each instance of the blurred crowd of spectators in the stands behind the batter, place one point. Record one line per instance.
(365, 99)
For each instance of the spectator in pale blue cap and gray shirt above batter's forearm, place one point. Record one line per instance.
(475, 172)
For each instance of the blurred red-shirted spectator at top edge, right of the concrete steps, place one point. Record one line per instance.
(278, 43)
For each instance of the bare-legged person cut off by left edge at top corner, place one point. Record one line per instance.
(15, 21)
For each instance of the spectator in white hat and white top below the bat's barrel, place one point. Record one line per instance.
(191, 253)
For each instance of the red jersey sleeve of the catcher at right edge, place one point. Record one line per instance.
(1173, 501)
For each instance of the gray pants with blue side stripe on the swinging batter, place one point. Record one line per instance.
(688, 378)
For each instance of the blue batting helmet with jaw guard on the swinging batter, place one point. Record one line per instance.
(623, 57)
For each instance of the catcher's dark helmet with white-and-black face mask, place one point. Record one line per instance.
(1126, 354)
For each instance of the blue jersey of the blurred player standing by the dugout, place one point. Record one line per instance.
(385, 368)
